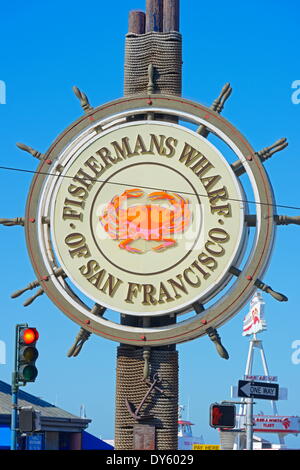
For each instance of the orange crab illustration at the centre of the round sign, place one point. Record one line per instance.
(148, 221)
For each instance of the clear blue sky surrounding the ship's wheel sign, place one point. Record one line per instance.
(47, 47)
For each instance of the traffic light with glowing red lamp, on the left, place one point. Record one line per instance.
(27, 354)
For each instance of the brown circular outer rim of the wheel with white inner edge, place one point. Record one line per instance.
(256, 263)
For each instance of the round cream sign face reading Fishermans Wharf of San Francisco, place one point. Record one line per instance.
(146, 218)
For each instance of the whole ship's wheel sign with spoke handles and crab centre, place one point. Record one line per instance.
(146, 218)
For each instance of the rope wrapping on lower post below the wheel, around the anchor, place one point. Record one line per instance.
(163, 407)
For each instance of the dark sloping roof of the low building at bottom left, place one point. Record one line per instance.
(49, 412)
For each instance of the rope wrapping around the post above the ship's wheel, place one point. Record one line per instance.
(164, 52)
